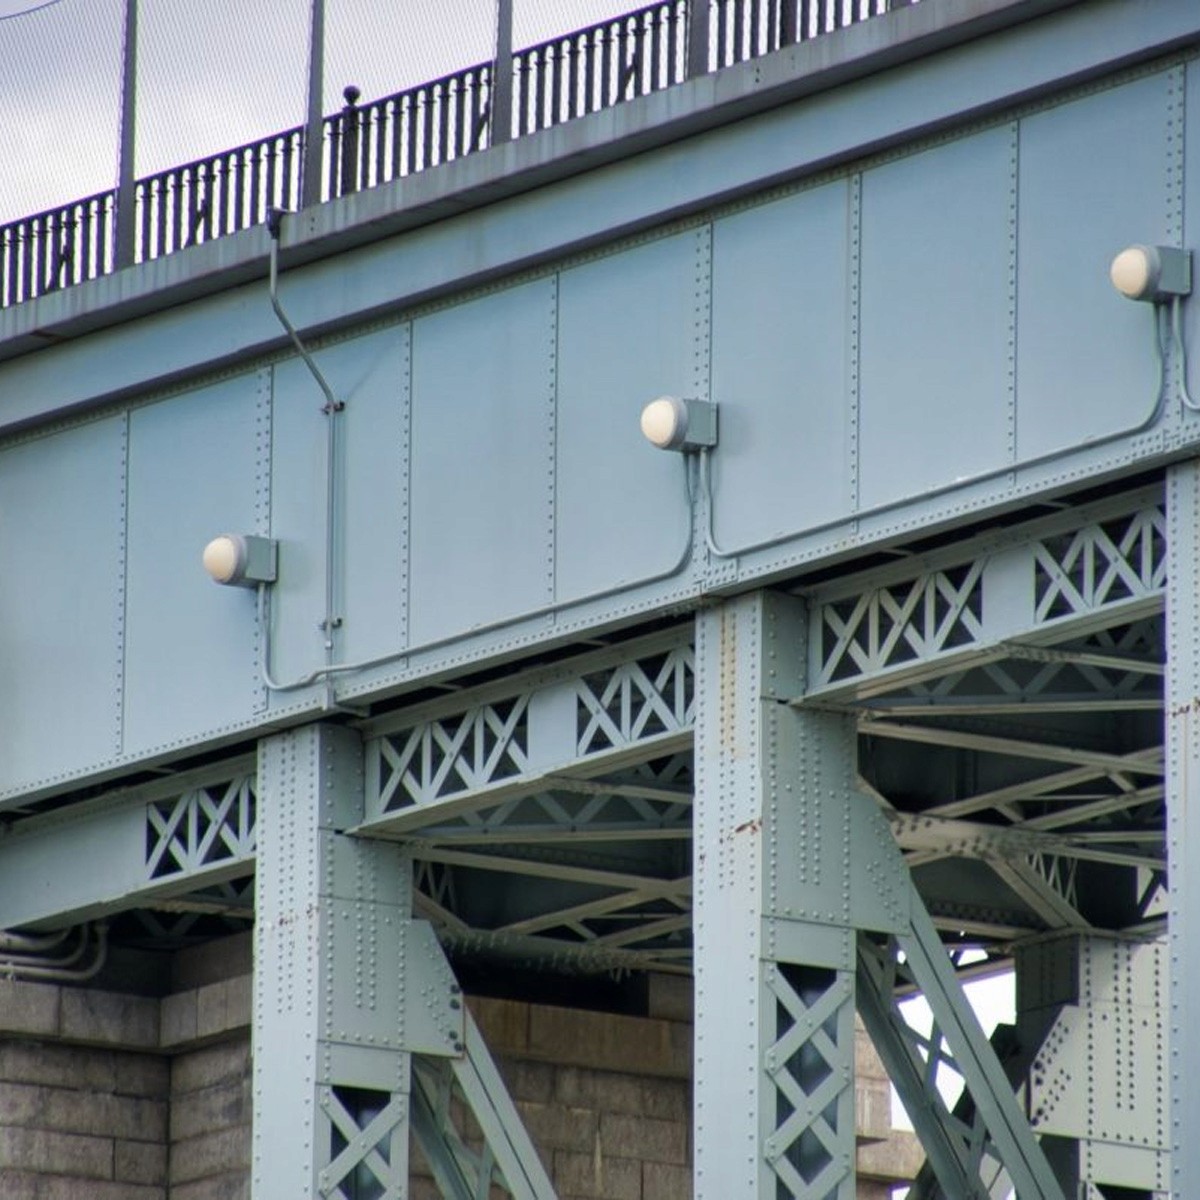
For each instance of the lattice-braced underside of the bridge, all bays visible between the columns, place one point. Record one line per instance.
(550, 814)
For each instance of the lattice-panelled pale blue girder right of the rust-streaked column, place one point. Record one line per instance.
(997, 597)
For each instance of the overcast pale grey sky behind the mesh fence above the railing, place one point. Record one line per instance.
(215, 75)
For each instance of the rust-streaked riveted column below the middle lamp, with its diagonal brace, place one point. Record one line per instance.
(799, 884)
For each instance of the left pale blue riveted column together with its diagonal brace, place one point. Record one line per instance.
(361, 1034)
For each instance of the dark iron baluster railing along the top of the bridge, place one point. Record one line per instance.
(556, 81)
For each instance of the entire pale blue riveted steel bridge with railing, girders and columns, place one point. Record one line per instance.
(891, 682)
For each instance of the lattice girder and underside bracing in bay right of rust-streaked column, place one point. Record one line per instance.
(1010, 695)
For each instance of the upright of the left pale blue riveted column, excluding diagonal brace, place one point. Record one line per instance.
(332, 937)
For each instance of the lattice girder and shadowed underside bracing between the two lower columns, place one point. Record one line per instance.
(550, 817)
